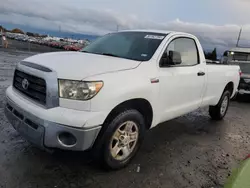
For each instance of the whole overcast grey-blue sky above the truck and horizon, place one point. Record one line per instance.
(217, 22)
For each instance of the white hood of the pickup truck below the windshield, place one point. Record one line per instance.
(79, 65)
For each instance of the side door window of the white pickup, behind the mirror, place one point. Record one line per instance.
(185, 48)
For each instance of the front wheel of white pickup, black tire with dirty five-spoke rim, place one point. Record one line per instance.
(114, 137)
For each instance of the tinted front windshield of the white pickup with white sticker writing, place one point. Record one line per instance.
(139, 46)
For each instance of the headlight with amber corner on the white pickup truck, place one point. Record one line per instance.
(78, 90)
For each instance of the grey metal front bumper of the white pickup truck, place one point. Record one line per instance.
(45, 134)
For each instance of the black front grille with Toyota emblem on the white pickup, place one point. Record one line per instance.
(36, 86)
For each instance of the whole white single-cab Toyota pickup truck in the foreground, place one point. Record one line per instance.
(107, 96)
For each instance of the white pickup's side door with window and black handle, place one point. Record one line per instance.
(181, 84)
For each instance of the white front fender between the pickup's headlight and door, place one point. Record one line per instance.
(123, 86)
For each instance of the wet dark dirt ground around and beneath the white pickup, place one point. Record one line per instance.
(190, 151)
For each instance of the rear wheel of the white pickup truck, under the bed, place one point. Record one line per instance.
(219, 111)
